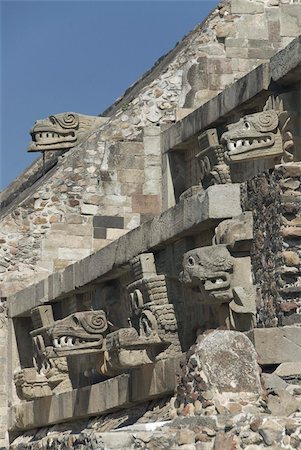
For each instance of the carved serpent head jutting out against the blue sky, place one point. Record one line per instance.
(62, 131)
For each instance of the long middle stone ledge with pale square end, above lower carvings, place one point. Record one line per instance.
(189, 216)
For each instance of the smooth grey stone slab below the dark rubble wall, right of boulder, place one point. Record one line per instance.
(277, 345)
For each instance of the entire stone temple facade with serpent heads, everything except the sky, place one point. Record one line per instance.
(151, 257)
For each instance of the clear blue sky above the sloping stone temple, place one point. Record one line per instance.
(78, 56)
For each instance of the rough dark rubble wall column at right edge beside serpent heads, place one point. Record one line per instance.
(274, 198)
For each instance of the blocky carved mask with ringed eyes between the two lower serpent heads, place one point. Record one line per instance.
(152, 334)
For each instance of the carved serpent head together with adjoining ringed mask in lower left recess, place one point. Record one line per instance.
(137, 325)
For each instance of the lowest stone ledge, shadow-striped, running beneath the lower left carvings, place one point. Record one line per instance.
(142, 384)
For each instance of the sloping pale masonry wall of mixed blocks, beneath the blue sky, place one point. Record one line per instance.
(112, 182)
